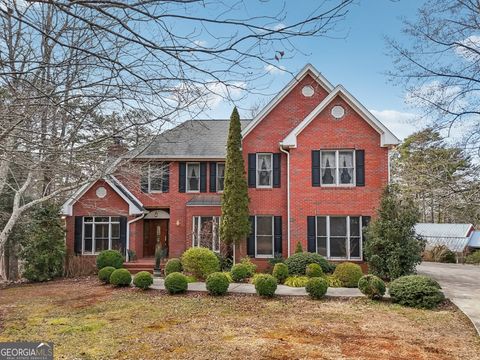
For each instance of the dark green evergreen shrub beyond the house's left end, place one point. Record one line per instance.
(44, 250)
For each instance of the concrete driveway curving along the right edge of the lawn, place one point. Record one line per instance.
(460, 283)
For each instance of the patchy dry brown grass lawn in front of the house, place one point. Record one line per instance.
(89, 321)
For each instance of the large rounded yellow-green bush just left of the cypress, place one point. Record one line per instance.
(200, 262)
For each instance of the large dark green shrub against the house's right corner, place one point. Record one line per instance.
(392, 248)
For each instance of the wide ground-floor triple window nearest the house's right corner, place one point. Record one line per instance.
(339, 237)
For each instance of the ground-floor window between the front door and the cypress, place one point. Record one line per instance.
(206, 232)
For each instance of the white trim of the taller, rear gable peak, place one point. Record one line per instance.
(307, 69)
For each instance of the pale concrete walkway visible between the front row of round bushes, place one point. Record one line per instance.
(241, 288)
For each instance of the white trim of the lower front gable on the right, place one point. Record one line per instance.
(387, 138)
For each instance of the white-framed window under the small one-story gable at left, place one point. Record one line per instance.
(100, 233)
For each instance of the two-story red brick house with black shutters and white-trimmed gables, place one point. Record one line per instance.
(316, 162)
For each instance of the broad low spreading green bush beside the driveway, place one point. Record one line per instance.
(416, 291)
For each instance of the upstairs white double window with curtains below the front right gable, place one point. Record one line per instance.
(337, 167)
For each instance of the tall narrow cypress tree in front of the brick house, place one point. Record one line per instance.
(235, 224)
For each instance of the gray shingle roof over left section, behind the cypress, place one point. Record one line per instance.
(193, 138)
